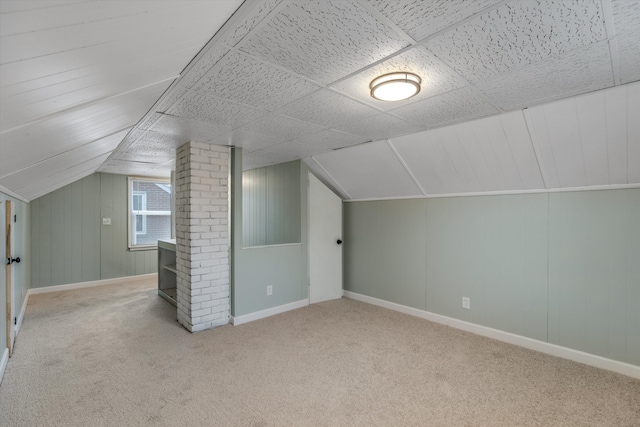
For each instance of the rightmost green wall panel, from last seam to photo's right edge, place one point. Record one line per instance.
(594, 272)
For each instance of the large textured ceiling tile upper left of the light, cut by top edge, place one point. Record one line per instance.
(323, 40)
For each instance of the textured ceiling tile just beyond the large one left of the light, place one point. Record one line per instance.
(247, 80)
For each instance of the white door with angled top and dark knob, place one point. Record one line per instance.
(325, 242)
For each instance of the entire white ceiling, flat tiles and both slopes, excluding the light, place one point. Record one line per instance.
(517, 95)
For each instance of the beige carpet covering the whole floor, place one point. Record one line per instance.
(115, 356)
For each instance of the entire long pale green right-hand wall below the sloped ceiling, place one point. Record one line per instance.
(559, 267)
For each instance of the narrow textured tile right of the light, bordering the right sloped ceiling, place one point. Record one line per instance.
(579, 71)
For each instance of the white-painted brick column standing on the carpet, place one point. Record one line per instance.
(202, 235)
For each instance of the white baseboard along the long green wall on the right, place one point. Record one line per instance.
(530, 343)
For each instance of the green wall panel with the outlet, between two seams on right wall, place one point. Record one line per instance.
(491, 249)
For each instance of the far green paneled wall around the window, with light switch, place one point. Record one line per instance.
(70, 244)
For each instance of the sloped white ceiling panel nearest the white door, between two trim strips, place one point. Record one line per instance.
(369, 171)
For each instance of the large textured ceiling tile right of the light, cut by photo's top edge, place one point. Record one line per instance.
(517, 34)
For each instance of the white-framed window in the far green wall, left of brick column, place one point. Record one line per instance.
(149, 212)
